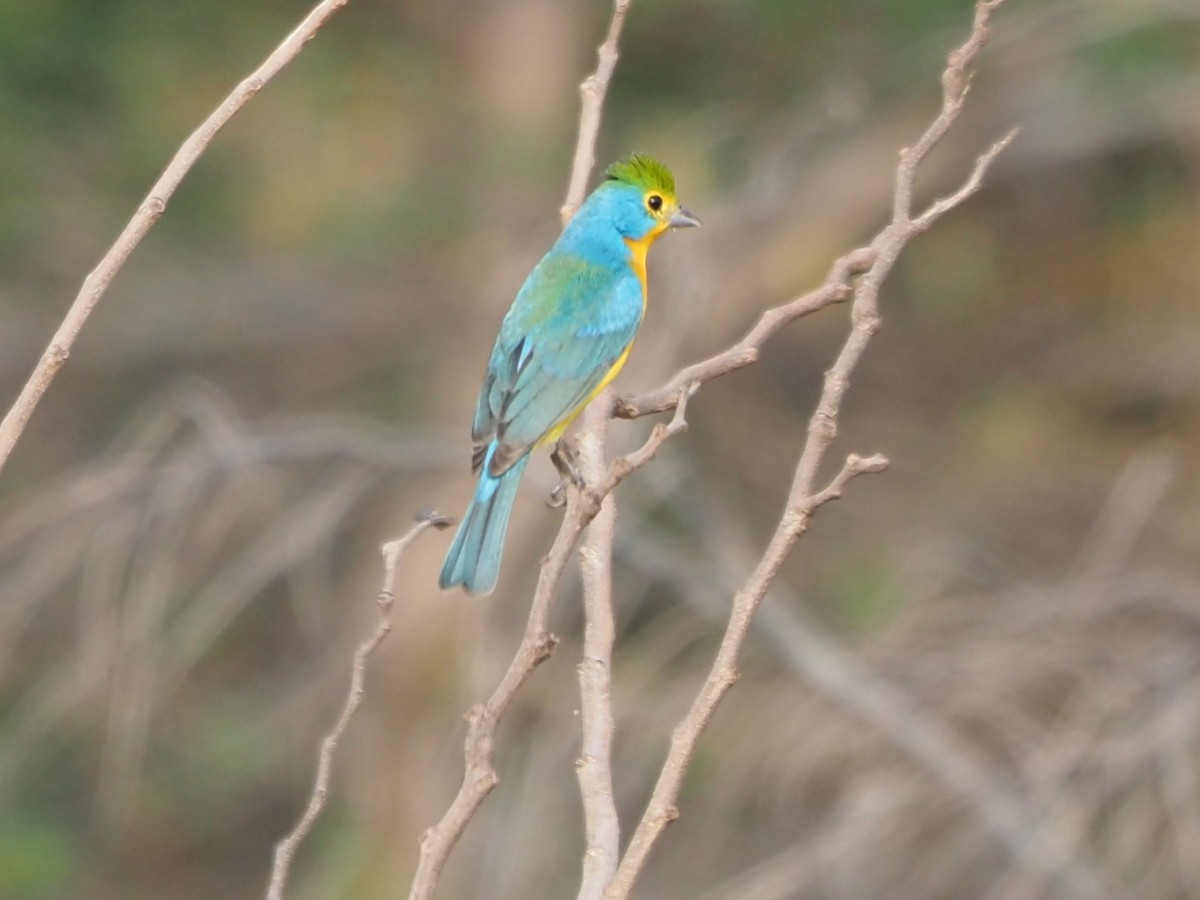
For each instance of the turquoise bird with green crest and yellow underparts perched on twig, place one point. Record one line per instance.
(565, 339)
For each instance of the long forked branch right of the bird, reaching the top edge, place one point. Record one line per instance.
(805, 499)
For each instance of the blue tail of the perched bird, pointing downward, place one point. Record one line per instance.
(475, 557)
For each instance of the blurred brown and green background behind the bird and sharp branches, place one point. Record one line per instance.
(979, 675)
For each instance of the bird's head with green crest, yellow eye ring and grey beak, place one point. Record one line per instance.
(638, 196)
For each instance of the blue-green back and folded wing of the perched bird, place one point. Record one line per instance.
(569, 326)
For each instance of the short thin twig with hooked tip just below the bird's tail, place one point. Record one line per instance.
(392, 553)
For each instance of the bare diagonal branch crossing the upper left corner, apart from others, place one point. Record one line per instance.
(148, 213)
